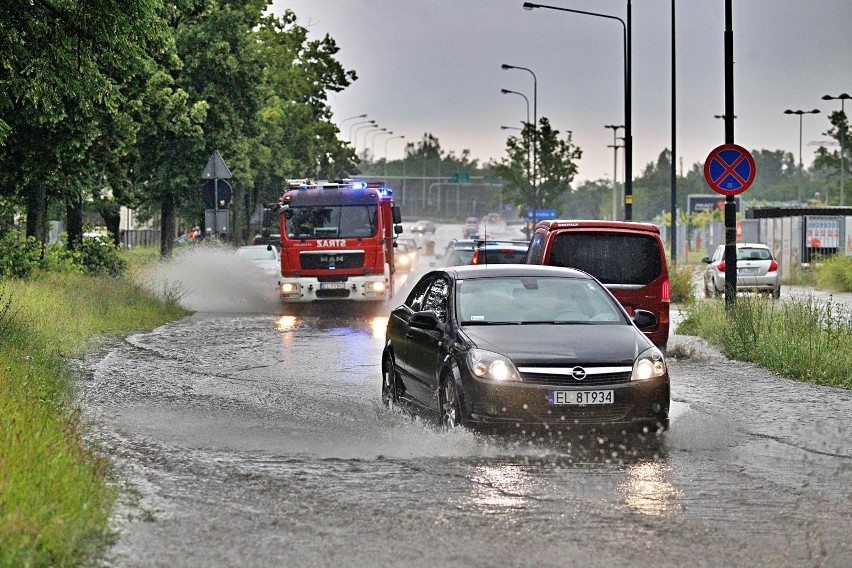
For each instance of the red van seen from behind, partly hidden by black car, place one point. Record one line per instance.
(628, 258)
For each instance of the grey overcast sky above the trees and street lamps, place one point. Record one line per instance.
(434, 66)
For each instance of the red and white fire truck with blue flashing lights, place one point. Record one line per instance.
(337, 240)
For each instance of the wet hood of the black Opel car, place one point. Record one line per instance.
(561, 344)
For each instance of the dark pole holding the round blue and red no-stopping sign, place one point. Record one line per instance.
(730, 204)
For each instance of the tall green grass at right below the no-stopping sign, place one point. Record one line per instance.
(801, 339)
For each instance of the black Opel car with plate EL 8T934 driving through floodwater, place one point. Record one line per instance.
(510, 346)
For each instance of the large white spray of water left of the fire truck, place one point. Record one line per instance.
(210, 277)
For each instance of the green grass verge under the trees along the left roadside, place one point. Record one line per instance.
(56, 494)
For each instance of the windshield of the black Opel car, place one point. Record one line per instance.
(531, 299)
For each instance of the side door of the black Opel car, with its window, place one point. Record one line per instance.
(424, 347)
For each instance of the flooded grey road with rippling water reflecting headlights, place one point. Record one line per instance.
(256, 437)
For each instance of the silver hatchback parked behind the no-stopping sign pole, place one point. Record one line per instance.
(757, 270)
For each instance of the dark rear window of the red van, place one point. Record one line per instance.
(626, 258)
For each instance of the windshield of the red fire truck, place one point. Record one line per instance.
(335, 221)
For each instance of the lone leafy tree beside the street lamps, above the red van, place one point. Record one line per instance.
(555, 166)
